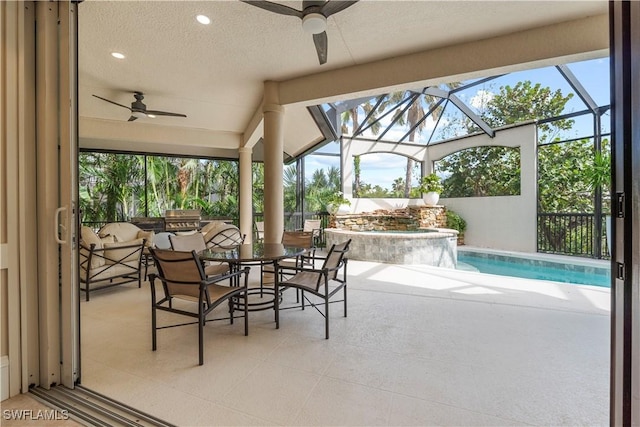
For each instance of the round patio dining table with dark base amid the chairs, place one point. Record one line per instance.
(257, 253)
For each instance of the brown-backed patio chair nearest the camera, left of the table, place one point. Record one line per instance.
(183, 277)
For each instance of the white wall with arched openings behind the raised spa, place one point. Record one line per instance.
(499, 222)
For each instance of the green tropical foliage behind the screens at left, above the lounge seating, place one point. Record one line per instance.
(113, 187)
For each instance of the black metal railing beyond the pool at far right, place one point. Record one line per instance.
(572, 234)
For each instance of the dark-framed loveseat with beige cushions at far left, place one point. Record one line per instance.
(113, 256)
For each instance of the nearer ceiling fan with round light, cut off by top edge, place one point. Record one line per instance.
(314, 16)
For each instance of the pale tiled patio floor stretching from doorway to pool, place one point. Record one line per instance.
(421, 346)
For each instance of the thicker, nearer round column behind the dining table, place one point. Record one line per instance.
(273, 114)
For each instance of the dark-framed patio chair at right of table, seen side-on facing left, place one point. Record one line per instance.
(323, 283)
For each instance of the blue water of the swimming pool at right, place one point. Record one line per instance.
(534, 269)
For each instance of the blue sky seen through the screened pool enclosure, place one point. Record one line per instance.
(383, 169)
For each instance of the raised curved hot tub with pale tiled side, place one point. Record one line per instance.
(437, 247)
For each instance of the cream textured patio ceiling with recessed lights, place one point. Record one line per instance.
(214, 74)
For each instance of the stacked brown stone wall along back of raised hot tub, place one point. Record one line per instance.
(409, 218)
